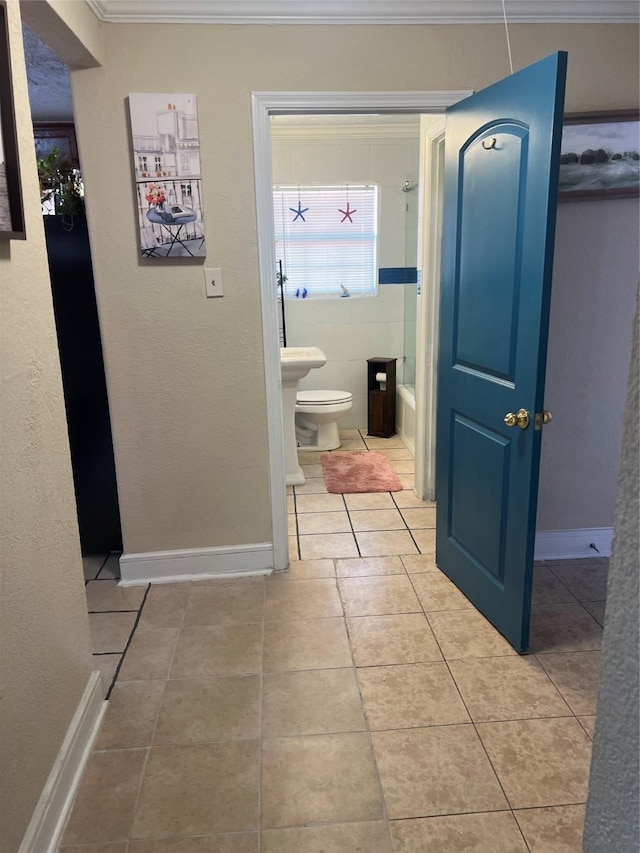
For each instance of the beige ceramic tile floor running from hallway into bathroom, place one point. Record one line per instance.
(357, 704)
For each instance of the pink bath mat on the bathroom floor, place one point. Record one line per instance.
(348, 472)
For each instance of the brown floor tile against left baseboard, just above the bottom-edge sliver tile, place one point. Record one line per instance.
(104, 804)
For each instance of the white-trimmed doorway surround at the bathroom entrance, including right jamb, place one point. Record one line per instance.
(265, 105)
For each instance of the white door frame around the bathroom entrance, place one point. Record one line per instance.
(264, 105)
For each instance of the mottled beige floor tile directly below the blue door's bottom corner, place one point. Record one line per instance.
(508, 688)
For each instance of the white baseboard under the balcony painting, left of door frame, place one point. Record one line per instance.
(196, 564)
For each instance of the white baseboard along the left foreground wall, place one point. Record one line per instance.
(54, 805)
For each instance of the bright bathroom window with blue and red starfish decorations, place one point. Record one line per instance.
(326, 239)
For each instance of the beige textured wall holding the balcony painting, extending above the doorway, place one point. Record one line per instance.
(185, 374)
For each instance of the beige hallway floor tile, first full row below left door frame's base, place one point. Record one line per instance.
(301, 599)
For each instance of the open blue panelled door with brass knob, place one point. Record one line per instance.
(502, 154)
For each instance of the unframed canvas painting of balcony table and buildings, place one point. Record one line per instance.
(166, 154)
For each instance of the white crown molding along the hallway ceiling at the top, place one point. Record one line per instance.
(364, 11)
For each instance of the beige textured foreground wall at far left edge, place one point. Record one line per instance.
(44, 638)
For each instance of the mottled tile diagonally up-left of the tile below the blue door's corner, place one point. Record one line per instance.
(381, 640)
